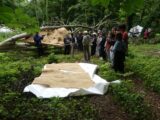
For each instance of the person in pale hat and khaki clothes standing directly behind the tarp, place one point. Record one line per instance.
(86, 45)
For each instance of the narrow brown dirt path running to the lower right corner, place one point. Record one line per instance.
(150, 97)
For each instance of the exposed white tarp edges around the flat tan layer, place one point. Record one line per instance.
(99, 87)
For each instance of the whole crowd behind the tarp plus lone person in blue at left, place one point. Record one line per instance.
(111, 46)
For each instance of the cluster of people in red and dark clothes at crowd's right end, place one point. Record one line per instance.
(117, 47)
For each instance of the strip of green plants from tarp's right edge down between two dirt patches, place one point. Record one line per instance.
(125, 95)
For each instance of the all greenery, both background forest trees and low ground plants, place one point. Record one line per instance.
(18, 68)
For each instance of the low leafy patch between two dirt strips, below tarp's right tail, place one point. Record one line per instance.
(132, 102)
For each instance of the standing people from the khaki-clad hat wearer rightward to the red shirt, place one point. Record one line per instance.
(111, 46)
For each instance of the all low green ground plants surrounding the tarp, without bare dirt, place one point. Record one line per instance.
(20, 69)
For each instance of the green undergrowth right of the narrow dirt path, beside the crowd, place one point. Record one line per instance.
(145, 64)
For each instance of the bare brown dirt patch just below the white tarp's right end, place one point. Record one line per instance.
(107, 108)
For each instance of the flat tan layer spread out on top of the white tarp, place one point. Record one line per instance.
(64, 75)
